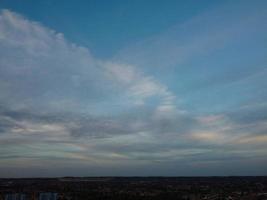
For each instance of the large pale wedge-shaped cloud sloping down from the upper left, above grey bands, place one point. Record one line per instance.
(41, 68)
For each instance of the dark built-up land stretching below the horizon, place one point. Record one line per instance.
(135, 188)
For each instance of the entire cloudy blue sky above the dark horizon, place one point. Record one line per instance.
(133, 88)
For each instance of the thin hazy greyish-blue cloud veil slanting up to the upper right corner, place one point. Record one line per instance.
(197, 37)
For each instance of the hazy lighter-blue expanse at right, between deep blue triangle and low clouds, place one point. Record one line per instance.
(208, 57)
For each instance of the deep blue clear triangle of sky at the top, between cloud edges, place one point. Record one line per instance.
(99, 25)
